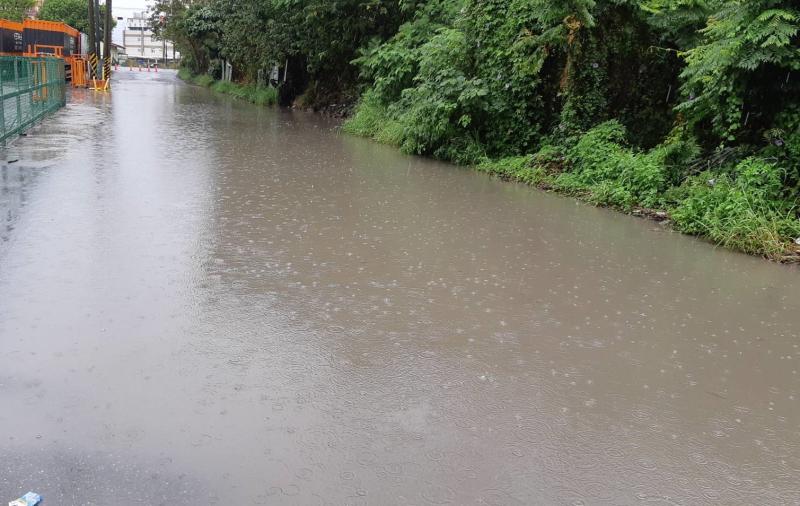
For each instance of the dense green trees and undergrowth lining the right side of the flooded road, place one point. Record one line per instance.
(691, 107)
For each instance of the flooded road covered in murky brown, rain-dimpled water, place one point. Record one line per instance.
(203, 302)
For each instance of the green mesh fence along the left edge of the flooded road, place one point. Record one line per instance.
(30, 88)
